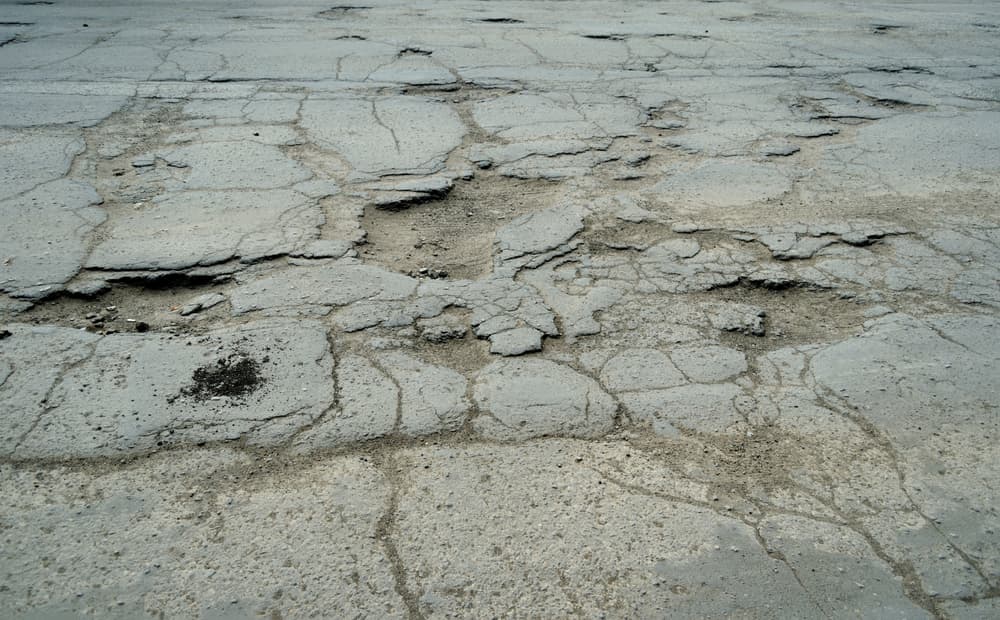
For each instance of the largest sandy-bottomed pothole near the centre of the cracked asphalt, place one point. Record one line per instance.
(453, 234)
